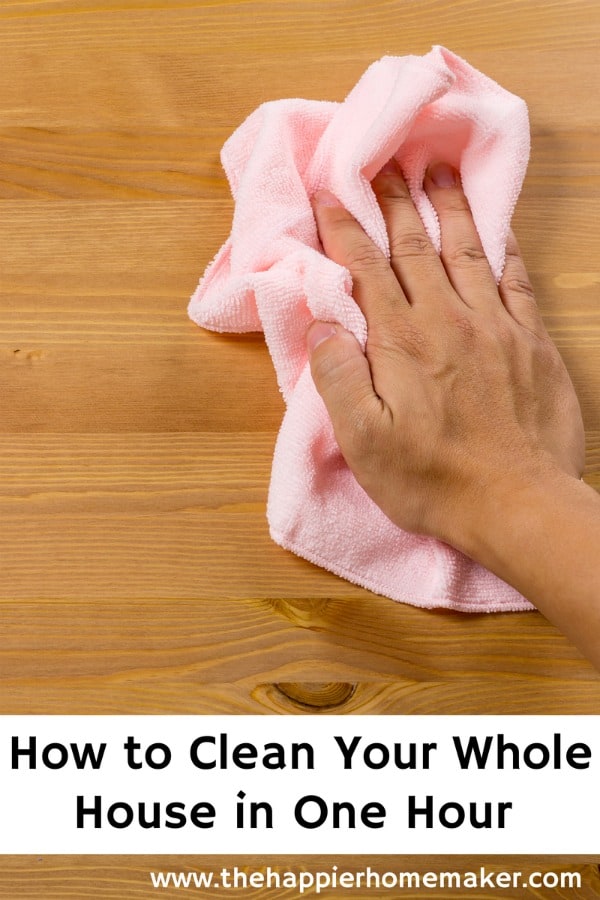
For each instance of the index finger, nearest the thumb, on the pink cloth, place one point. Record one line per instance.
(374, 286)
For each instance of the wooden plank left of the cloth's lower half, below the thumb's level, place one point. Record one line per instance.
(147, 516)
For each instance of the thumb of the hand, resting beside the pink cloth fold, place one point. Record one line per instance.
(342, 376)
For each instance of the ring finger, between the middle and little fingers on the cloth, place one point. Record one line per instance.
(462, 254)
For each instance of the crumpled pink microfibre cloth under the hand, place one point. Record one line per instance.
(271, 275)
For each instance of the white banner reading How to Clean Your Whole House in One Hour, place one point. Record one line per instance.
(300, 784)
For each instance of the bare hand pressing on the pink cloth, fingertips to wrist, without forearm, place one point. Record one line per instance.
(461, 386)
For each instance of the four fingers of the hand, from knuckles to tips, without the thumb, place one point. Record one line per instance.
(415, 274)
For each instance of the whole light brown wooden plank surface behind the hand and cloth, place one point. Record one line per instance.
(136, 570)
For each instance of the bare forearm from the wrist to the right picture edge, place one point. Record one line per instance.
(542, 536)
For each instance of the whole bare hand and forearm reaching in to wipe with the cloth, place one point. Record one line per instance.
(460, 419)
